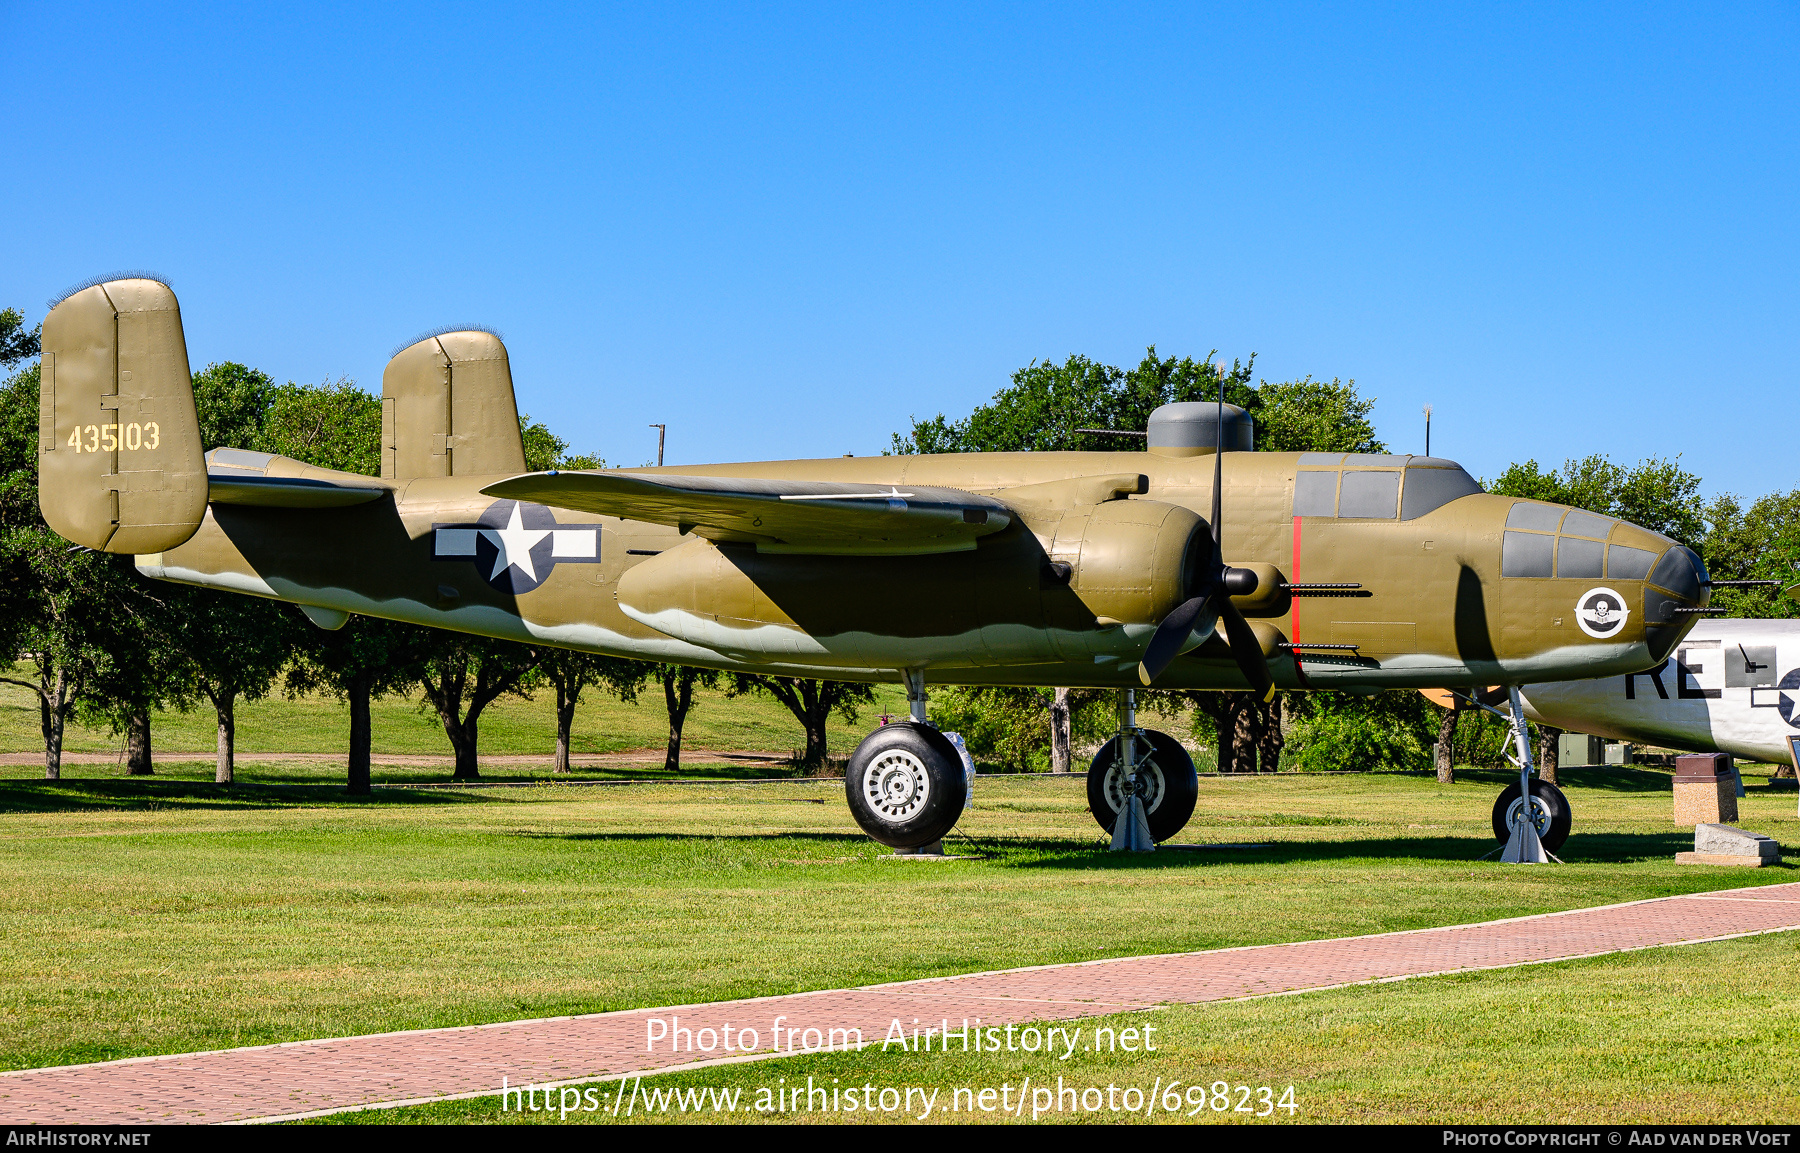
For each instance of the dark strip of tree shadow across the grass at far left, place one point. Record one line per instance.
(148, 796)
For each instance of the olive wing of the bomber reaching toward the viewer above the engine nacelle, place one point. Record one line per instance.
(813, 517)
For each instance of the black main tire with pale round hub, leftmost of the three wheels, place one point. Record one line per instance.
(906, 785)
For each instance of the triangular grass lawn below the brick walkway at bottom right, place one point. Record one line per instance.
(1662, 1037)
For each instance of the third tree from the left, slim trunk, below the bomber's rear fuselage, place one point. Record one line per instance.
(235, 648)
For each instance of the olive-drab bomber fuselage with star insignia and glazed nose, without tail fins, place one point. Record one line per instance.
(1041, 603)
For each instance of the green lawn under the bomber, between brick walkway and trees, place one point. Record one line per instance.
(165, 916)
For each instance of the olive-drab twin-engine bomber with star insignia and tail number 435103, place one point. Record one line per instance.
(1311, 571)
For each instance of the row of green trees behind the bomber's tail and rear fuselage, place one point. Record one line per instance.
(107, 647)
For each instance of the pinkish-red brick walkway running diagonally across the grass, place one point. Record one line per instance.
(433, 1064)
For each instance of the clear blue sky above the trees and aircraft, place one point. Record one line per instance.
(787, 229)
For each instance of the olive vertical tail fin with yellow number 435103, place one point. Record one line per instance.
(120, 461)
